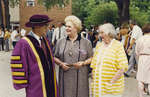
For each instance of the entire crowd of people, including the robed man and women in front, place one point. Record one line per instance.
(108, 53)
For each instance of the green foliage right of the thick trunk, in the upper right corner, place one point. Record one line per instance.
(140, 11)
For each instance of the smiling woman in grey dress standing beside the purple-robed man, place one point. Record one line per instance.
(73, 76)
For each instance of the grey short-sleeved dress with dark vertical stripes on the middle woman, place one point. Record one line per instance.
(73, 82)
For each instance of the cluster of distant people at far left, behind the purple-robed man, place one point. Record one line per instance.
(9, 38)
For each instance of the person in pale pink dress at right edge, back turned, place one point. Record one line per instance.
(142, 51)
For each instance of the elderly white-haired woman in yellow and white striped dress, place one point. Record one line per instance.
(109, 63)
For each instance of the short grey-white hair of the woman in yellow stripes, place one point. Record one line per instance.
(108, 29)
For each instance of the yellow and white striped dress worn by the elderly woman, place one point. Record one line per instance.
(105, 63)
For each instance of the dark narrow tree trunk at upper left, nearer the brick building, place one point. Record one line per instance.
(7, 15)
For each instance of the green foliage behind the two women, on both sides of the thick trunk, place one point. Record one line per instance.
(93, 11)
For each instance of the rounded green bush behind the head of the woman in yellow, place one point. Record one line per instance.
(106, 12)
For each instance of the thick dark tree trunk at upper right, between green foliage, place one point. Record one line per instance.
(123, 10)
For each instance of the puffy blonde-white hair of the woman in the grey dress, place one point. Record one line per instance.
(75, 20)
